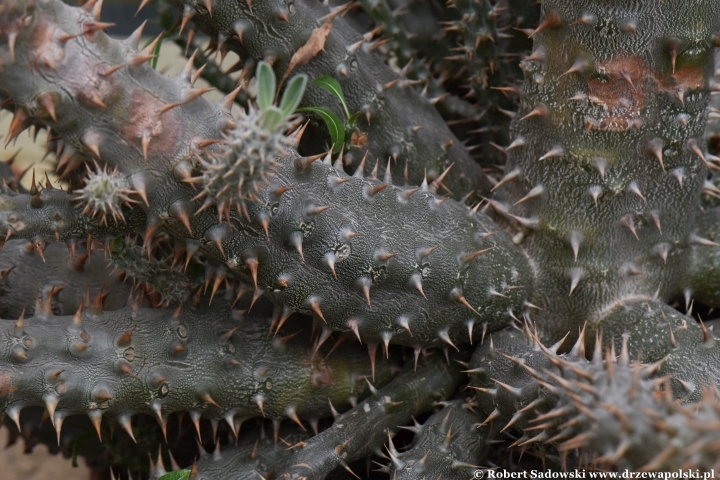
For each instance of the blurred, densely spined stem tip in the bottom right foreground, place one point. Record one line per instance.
(614, 412)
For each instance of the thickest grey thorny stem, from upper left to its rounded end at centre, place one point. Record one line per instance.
(321, 247)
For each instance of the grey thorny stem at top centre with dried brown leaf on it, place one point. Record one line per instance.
(398, 122)
